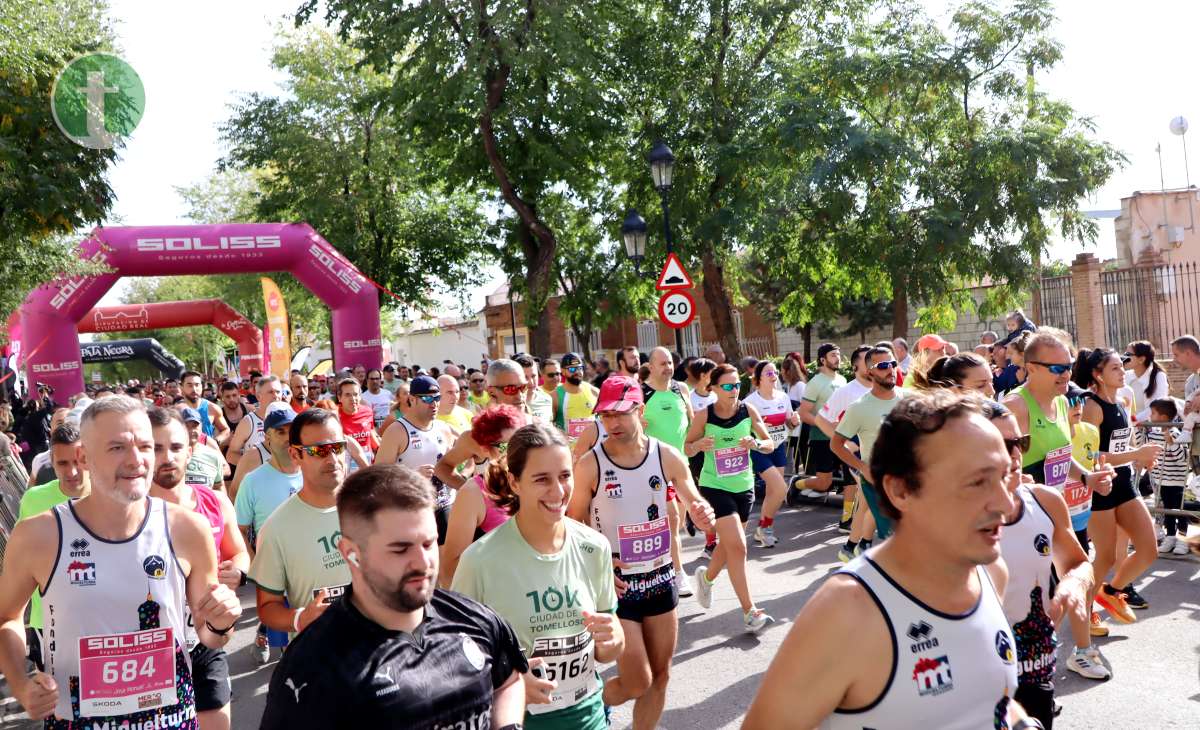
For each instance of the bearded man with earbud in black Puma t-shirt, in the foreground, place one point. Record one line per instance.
(395, 651)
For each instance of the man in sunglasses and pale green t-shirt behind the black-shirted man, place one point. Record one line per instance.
(297, 567)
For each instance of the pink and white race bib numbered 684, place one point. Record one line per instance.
(123, 674)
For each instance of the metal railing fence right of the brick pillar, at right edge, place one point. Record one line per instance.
(1151, 303)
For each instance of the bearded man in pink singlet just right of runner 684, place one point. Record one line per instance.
(211, 667)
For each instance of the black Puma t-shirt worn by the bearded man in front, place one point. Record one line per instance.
(349, 672)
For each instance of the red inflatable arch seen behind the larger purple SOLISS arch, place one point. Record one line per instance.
(166, 315)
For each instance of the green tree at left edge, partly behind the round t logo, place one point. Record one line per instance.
(50, 187)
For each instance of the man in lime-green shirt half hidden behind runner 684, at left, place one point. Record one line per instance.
(71, 483)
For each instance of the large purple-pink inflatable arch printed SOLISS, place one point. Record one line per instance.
(51, 313)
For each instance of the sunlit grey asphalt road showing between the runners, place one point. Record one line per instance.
(718, 668)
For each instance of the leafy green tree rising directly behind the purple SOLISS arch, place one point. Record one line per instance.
(331, 154)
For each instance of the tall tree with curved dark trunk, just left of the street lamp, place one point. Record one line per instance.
(512, 98)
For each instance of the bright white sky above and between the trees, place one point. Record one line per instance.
(1125, 67)
